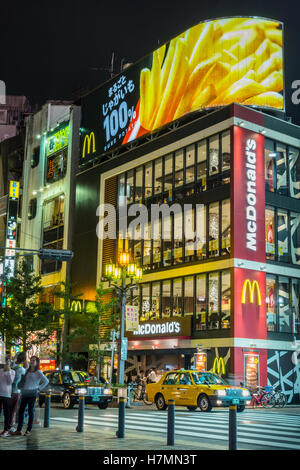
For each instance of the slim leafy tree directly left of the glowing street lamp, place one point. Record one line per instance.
(95, 325)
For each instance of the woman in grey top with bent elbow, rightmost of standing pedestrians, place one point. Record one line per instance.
(34, 382)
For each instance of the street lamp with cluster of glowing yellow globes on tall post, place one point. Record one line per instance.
(120, 272)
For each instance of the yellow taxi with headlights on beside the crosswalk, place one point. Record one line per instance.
(196, 389)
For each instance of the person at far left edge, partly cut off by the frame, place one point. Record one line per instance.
(7, 376)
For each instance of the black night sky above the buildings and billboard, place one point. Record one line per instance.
(49, 48)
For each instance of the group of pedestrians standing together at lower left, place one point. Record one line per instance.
(20, 385)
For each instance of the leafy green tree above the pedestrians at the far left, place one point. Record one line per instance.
(25, 317)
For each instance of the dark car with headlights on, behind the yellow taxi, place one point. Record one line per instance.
(66, 387)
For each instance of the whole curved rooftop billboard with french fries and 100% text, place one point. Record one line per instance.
(212, 64)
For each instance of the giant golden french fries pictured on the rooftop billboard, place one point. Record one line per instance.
(213, 64)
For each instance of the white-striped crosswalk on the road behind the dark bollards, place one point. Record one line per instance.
(255, 428)
